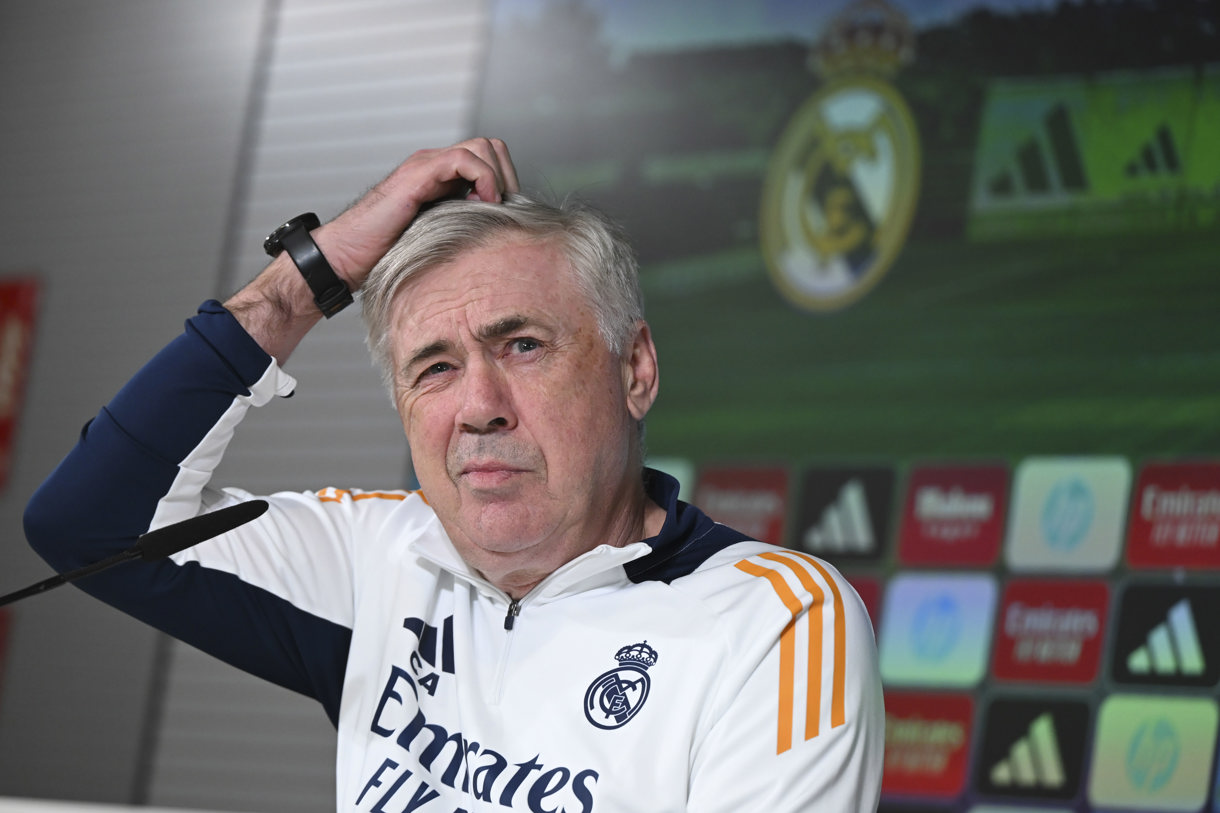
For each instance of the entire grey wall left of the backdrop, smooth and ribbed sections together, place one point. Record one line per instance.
(137, 185)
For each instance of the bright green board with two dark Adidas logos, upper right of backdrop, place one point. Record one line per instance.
(1056, 153)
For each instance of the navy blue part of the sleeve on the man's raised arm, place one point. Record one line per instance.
(106, 493)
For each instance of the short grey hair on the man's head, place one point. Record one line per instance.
(601, 258)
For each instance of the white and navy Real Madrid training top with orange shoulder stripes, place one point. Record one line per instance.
(696, 671)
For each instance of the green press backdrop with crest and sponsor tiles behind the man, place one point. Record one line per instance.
(935, 287)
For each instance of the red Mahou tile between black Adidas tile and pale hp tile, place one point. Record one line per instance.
(955, 516)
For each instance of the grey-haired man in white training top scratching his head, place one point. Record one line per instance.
(544, 626)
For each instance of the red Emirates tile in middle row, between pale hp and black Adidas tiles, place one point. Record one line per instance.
(1051, 632)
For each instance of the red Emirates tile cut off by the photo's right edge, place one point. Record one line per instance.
(1175, 517)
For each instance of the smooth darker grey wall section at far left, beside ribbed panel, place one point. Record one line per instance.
(120, 132)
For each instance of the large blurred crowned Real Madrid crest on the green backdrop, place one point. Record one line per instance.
(844, 179)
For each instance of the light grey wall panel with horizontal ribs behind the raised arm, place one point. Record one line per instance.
(352, 90)
